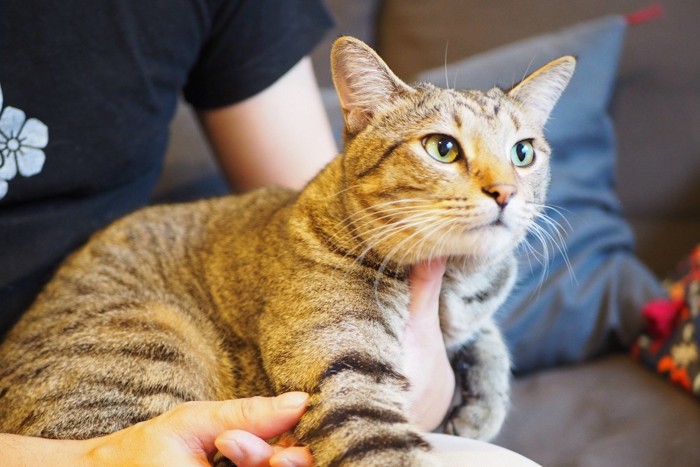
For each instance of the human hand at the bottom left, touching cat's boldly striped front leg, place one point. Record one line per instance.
(191, 433)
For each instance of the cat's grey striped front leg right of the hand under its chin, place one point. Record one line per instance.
(482, 367)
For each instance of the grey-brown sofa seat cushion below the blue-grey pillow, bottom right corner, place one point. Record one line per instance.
(609, 412)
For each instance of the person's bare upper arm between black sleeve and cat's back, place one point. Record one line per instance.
(280, 136)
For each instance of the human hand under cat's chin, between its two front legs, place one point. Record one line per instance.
(426, 364)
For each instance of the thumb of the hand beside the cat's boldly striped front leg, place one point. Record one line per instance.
(264, 417)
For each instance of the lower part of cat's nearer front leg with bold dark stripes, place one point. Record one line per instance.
(358, 416)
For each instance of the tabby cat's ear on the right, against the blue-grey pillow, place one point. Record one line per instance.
(539, 92)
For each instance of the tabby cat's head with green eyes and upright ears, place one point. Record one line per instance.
(440, 172)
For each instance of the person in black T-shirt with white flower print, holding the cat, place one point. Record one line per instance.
(87, 90)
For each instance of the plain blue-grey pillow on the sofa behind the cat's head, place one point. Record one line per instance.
(553, 318)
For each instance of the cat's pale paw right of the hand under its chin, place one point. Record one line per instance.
(480, 418)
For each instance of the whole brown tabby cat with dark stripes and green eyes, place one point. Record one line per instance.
(277, 290)
